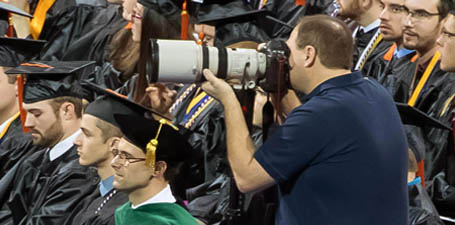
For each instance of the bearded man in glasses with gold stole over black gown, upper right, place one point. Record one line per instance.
(423, 82)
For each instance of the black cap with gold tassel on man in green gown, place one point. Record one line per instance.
(160, 140)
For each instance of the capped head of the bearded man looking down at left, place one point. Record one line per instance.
(52, 98)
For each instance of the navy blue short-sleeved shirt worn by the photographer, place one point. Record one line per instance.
(341, 157)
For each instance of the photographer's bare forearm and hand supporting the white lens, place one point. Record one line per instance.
(248, 173)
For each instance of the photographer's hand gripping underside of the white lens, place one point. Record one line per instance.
(217, 88)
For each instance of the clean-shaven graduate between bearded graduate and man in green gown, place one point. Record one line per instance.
(99, 134)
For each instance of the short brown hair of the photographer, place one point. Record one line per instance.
(331, 38)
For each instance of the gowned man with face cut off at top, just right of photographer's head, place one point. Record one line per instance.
(370, 44)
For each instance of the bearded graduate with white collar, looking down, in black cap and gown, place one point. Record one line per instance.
(44, 188)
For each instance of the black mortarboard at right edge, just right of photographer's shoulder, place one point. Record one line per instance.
(413, 116)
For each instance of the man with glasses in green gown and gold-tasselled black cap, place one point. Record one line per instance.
(147, 158)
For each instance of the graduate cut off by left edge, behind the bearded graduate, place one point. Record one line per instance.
(14, 144)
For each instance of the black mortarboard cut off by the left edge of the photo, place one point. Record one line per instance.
(14, 51)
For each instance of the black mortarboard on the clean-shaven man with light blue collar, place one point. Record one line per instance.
(114, 101)
